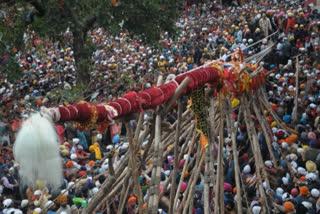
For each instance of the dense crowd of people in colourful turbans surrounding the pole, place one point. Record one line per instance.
(206, 32)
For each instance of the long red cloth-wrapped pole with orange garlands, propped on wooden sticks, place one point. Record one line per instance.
(87, 115)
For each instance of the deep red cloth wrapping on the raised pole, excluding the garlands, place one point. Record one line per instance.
(133, 102)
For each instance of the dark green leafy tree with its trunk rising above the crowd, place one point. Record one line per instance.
(51, 18)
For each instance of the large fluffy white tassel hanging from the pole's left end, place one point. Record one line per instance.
(36, 149)
